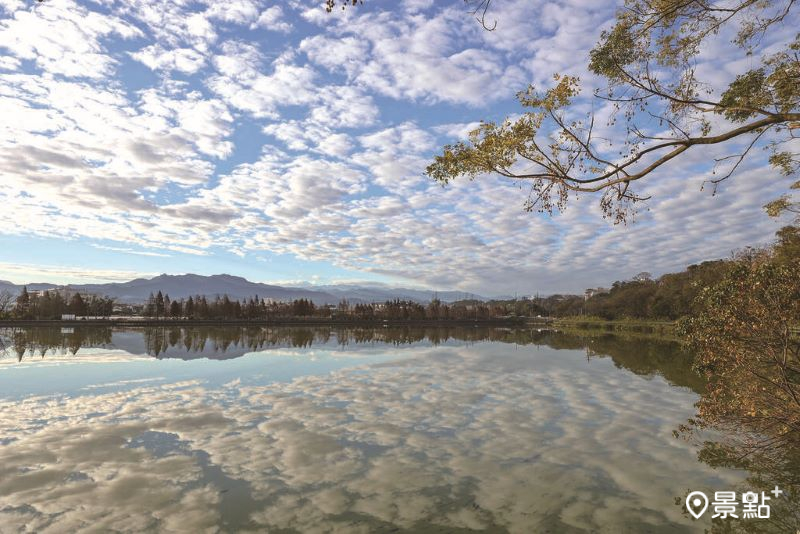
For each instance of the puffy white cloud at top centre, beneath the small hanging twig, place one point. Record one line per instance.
(417, 58)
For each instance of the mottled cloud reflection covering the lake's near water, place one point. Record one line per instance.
(467, 437)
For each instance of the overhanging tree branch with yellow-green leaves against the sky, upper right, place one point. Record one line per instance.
(648, 62)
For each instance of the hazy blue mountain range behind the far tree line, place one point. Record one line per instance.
(186, 285)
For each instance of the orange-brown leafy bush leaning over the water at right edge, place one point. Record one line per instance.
(744, 343)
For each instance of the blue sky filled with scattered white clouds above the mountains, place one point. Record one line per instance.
(287, 145)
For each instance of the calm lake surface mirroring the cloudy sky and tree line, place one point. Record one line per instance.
(327, 430)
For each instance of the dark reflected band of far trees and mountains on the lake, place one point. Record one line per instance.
(643, 356)
